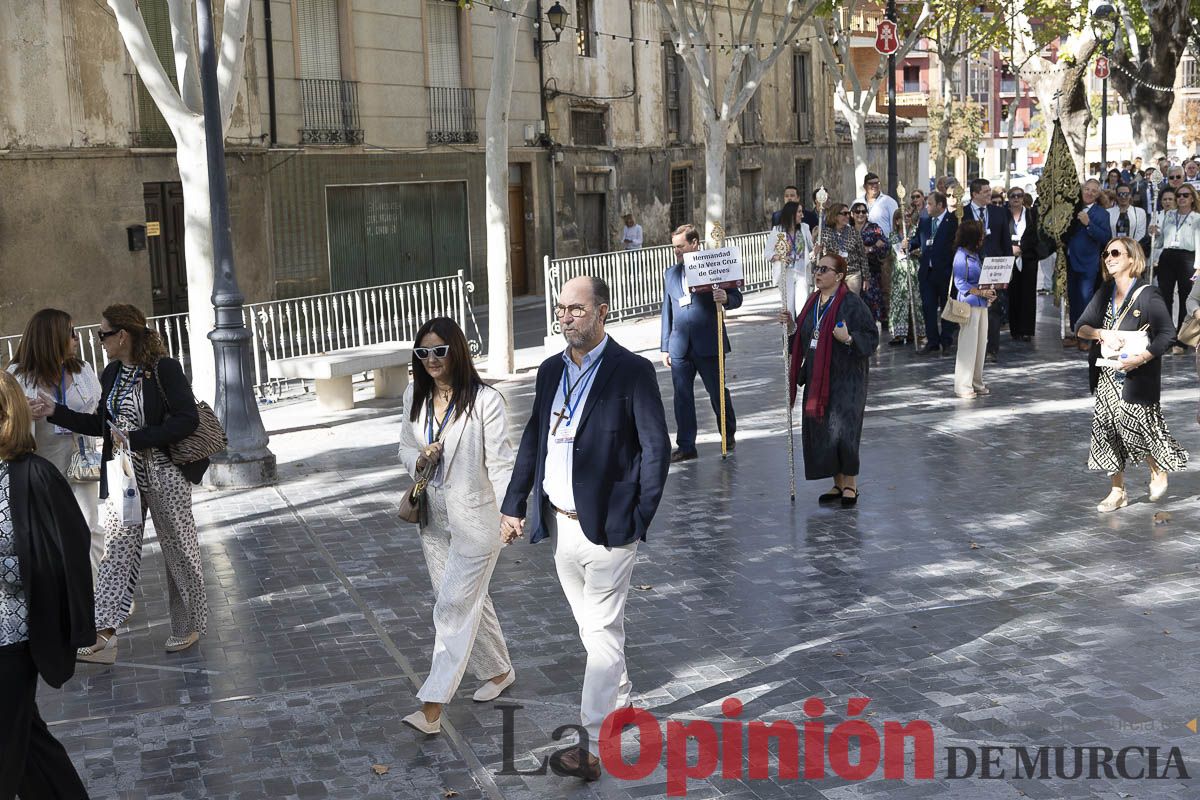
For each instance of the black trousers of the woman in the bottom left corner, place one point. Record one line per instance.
(33, 763)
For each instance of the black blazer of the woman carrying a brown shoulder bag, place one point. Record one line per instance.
(164, 426)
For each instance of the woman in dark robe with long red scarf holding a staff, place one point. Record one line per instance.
(832, 341)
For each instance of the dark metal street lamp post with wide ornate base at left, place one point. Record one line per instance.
(247, 461)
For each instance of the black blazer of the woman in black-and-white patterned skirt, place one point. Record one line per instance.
(1144, 384)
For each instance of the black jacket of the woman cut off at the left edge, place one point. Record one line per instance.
(52, 542)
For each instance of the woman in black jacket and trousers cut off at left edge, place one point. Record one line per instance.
(45, 605)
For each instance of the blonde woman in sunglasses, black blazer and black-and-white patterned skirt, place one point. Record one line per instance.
(1129, 424)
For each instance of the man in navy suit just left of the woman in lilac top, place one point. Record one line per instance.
(934, 239)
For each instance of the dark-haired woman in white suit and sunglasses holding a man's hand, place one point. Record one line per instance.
(453, 419)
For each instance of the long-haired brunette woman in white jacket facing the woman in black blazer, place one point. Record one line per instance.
(49, 362)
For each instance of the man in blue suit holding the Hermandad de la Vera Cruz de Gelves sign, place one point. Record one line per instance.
(689, 347)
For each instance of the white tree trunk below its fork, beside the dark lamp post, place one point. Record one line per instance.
(194, 176)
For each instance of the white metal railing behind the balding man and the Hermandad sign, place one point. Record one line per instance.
(635, 276)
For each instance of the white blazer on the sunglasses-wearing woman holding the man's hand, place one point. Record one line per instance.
(477, 465)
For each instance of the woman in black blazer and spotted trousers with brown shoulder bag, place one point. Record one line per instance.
(146, 406)
